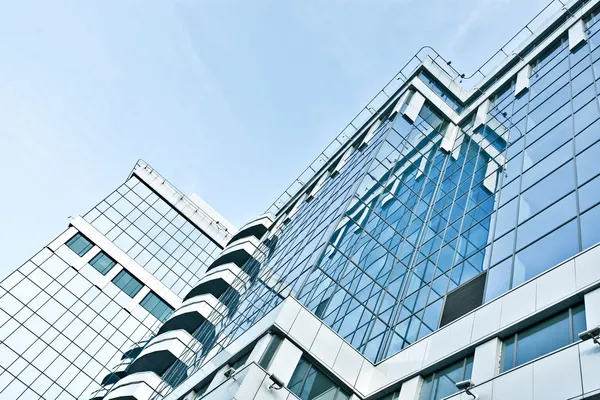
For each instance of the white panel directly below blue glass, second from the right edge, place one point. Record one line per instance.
(556, 284)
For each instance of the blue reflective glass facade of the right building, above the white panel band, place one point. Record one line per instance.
(376, 250)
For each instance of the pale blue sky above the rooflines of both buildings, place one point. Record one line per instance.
(228, 99)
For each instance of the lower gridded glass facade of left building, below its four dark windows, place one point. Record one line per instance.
(60, 334)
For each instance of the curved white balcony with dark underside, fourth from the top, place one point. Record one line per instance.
(192, 313)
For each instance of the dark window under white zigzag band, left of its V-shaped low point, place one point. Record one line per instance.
(309, 383)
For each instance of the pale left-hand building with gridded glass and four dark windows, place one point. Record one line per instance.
(70, 312)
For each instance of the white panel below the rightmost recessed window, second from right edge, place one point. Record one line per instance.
(557, 377)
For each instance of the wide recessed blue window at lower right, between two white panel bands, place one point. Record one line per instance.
(543, 338)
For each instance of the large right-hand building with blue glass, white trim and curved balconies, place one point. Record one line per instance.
(445, 245)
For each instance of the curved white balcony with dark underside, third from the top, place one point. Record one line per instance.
(218, 280)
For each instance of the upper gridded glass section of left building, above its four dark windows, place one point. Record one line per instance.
(155, 235)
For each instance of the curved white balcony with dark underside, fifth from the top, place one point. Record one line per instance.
(162, 352)
